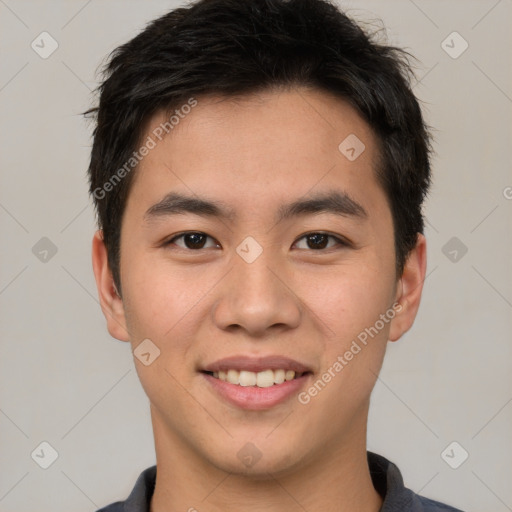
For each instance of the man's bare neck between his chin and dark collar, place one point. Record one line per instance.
(337, 480)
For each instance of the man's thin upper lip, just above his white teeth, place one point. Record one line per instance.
(256, 364)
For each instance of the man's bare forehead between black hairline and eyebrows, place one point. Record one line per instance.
(252, 149)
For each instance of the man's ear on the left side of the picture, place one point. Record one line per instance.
(111, 304)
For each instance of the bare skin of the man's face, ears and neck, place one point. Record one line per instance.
(199, 305)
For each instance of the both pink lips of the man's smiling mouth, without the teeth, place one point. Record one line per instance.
(253, 397)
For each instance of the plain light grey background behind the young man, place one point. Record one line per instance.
(64, 380)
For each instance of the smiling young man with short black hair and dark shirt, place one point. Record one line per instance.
(258, 170)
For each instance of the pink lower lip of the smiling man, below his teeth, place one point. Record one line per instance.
(253, 397)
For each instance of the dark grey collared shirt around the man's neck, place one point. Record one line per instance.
(386, 478)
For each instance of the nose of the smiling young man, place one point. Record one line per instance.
(256, 297)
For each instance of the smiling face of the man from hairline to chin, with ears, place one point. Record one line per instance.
(252, 247)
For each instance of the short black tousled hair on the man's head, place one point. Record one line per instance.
(240, 47)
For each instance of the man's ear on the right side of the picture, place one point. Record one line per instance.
(409, 289)
